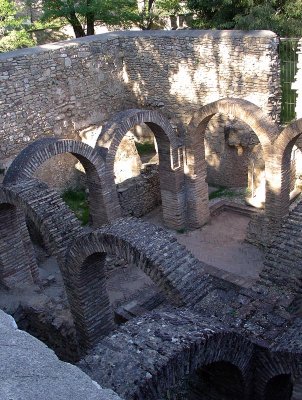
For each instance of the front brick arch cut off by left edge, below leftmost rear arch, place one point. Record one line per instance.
(56, 223)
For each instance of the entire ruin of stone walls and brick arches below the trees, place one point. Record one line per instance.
(69, 112)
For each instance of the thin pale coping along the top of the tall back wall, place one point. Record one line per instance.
(104, 37)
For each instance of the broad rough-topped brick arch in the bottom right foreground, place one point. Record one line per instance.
(211, 361)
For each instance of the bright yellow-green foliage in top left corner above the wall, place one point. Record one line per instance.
(13, 33)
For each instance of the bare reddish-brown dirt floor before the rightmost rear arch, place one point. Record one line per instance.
(221, 244)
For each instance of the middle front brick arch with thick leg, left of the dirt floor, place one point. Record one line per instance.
(180, 276)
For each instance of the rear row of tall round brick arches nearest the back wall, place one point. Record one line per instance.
(182, 165)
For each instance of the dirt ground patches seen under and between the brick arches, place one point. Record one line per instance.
(43, 310)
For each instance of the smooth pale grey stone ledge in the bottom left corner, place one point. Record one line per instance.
(30, 370)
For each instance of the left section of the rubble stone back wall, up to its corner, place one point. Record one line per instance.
(63, 90)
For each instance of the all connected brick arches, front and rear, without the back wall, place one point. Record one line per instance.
(250, 329)
